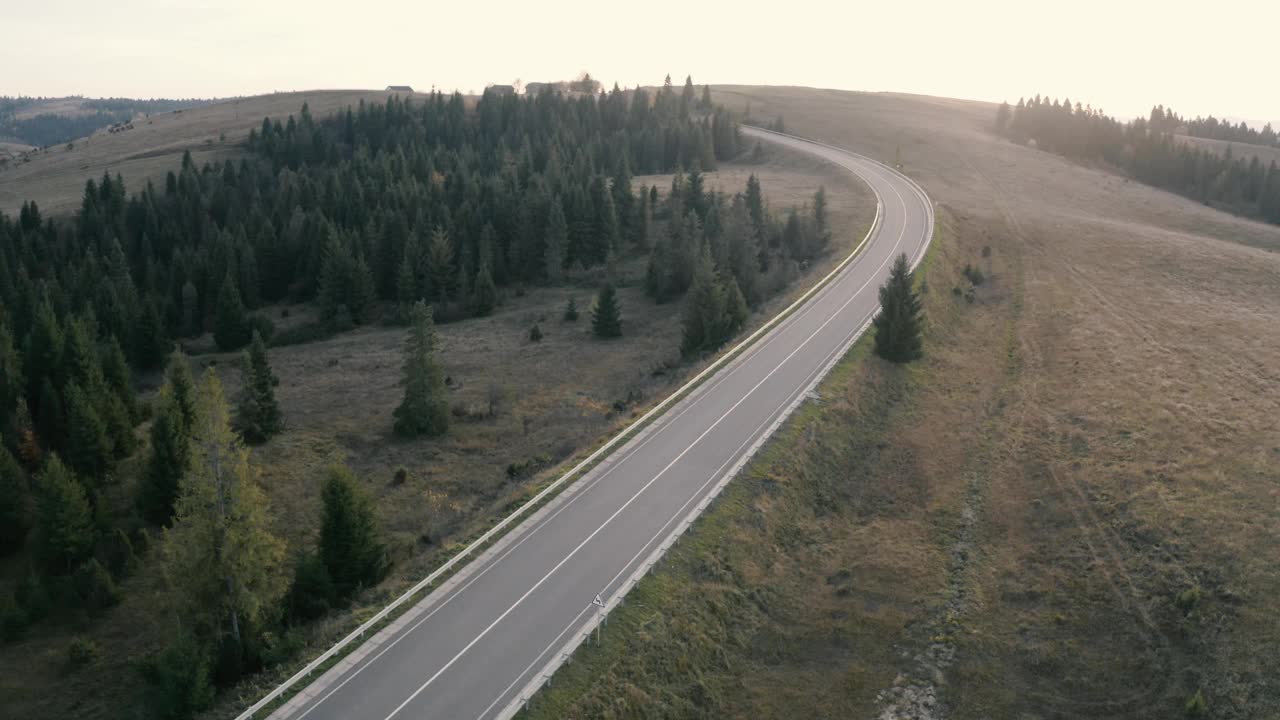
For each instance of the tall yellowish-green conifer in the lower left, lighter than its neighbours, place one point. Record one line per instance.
(221, 554)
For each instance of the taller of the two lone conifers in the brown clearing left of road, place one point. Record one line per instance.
(424, 411)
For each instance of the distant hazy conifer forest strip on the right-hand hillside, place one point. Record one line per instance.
(1149, 151)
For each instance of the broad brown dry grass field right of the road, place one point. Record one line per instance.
(1069, 509)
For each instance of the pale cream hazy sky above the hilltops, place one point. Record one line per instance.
(1122, 56)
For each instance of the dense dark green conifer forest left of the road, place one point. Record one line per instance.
(406, 212)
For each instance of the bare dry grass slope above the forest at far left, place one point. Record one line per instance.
(56, 177)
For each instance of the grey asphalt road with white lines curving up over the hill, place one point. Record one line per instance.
(473, 648)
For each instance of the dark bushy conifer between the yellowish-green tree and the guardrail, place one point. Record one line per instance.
(350, 545)
